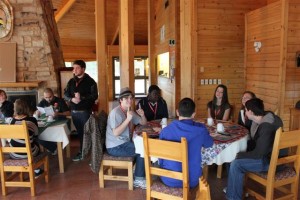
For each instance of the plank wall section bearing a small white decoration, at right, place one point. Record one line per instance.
(263, 68)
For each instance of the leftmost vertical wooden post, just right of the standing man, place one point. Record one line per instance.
(101, 54)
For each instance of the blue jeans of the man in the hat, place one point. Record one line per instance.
(128, 149)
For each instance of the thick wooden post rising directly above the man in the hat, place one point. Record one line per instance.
(126, 37)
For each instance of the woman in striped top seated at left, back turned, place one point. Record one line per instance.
(22, 112)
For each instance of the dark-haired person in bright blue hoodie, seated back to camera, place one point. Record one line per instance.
(197, 136)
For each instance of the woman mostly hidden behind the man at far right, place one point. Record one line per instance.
(243, 119)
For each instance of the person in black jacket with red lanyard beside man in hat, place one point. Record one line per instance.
(154, 106)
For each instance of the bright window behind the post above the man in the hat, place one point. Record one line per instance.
(141, 74)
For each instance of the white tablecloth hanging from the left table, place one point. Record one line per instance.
(56, 133)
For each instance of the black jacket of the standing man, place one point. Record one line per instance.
(87, 88)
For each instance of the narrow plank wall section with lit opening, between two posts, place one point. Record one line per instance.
(165, 16)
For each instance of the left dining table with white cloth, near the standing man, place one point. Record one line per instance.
(57, 131)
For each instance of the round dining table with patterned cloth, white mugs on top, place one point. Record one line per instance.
(226, 145)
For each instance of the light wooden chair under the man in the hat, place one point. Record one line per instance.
(109, 163)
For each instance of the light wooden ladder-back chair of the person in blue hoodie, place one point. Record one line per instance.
(171, 151)
